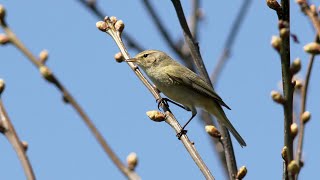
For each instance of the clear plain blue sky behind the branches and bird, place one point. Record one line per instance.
(61, 147)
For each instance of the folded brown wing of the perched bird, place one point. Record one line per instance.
(195, 82)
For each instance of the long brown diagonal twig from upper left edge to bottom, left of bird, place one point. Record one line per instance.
(50, 77)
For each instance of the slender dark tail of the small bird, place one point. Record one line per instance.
(219, 113)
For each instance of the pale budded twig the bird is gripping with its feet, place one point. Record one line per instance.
(114, 29)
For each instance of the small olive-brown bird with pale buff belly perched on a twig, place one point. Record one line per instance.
(183, 86)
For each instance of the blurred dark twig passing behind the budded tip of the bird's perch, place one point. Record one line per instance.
(92, 6)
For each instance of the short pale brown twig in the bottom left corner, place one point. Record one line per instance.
(8, 130)
